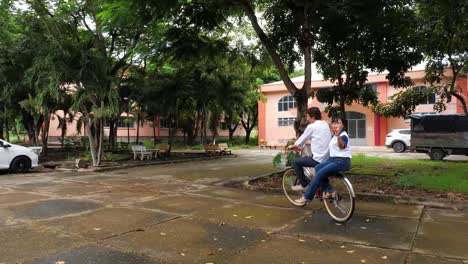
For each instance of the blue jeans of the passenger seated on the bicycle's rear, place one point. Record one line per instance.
(322, 171)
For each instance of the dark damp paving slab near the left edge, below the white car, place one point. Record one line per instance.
(50, 208)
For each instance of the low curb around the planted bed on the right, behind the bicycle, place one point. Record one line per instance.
(371, 197)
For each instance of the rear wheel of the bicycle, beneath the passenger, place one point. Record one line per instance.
(340, 206)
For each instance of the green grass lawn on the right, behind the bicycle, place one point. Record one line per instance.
(442, 176)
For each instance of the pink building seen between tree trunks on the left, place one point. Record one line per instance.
(147, 131)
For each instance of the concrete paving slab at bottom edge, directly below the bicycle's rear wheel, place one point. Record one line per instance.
(294, 250)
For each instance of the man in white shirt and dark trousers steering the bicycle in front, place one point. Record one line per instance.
(318, 132)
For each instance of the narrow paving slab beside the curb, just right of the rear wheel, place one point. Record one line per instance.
(389, 210)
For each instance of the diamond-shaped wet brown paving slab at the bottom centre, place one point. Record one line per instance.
(188, 241)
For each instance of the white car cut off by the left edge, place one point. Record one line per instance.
(17, 158)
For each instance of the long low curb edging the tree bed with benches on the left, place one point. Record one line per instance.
(103, 169)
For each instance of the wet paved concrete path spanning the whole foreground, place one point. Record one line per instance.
(176, 214)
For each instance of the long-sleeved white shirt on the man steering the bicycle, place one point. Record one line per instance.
(319, 135)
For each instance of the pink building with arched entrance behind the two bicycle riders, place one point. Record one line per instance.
(277, 114)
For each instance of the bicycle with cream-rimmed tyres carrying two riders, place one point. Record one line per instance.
(340, 207)
